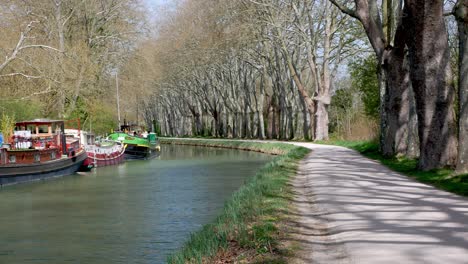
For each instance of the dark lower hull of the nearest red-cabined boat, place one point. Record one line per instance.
(13, 174)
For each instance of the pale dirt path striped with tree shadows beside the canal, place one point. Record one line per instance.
(354, 210)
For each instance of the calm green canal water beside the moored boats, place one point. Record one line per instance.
(137, 212)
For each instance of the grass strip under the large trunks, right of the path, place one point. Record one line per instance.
(443, 178)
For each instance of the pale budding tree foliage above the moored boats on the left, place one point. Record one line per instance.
(60, 52)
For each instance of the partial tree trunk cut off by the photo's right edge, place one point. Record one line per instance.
(461, 13)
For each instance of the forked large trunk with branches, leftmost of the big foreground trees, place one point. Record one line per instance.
(393, 122)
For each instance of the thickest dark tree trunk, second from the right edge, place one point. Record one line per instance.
(430, 72)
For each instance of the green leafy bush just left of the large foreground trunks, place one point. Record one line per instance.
(364, 78)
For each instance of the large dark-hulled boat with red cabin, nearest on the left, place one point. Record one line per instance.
(39, 150)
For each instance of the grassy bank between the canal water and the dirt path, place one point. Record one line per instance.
(249, 226)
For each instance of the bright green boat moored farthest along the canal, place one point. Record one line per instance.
(138, 147)
